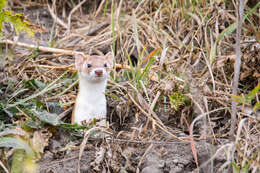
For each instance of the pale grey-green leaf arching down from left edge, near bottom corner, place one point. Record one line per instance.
(16, 143)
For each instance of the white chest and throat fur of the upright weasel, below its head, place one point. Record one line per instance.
(91, 101)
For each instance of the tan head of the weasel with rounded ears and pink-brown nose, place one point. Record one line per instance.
(94, 68)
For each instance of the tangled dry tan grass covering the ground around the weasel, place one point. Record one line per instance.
(176, 64)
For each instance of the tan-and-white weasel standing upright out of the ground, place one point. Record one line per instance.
(93, 72)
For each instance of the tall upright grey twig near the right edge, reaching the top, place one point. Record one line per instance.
(236, 68)
